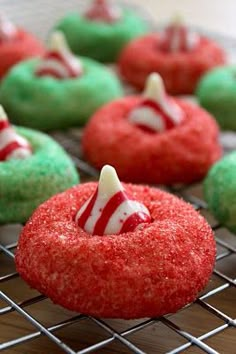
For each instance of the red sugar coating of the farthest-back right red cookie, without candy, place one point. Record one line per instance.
(180, 71)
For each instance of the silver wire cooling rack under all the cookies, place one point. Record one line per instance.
(30, 323)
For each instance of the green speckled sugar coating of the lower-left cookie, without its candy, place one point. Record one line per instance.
(24, 184)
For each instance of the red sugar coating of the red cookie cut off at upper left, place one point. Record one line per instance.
(22, 47)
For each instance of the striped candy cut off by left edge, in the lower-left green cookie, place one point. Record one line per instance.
(12, 145)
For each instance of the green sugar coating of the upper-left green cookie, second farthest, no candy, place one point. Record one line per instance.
(46, 103)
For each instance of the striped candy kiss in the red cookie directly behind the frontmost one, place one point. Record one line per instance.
(157, 112)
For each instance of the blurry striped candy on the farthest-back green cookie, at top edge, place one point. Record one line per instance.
(104, 11)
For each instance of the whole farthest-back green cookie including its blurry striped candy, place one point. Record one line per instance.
(102, 31)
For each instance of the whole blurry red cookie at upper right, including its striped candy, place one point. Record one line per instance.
(180, 56)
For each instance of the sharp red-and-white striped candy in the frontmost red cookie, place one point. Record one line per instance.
(110, 210)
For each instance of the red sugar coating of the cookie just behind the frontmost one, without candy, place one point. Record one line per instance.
(180, 155)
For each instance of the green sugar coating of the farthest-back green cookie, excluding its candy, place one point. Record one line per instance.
(99, 40)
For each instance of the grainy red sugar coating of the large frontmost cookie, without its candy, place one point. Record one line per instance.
(152, 271)
